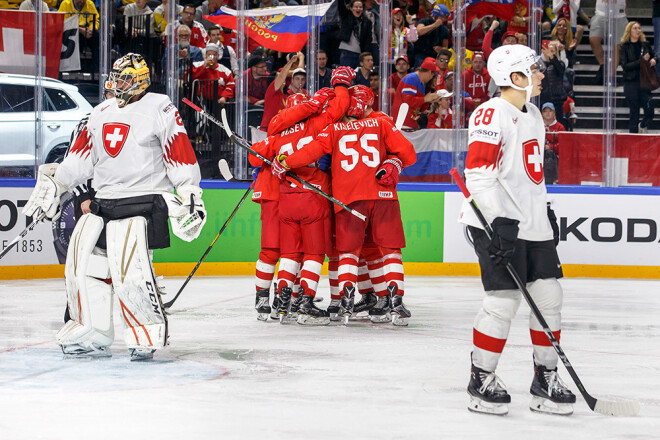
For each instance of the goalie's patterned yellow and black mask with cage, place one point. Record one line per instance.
(129, 78)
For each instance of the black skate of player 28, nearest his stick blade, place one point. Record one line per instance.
(549, 393)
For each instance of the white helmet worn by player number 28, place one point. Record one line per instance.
(513, 58)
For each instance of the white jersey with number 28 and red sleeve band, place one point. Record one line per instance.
(504, 168)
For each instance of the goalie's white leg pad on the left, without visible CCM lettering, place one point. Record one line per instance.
(89, 293)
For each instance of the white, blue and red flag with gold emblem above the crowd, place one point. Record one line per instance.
(283, 28)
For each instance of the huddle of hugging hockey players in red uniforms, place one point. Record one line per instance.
(339, 144)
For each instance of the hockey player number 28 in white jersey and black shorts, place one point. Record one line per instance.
(504, 174)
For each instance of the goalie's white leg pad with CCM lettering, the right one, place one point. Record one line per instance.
(145, 323)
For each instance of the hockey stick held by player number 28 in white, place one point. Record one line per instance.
(608, 408)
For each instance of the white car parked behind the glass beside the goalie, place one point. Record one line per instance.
(63, 108)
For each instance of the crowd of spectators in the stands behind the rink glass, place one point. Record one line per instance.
(419, 53)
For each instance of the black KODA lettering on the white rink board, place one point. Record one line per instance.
(609, 229)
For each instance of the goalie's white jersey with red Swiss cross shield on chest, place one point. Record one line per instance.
(139, 149)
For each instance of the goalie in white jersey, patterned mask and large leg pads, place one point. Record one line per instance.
(136, 149)
